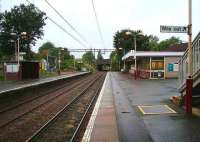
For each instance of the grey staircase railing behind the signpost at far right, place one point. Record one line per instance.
(183, 62)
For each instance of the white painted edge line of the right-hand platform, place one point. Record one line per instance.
(88, 131)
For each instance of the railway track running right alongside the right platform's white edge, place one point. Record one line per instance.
(67, 124)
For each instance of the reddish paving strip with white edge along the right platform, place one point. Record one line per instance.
(103, 125)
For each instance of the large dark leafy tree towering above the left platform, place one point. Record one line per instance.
(21, 19)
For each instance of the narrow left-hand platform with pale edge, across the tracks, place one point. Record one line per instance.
(5, 87)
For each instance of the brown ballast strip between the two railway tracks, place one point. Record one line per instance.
(19, 129)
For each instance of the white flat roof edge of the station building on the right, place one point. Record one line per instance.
(133, 54)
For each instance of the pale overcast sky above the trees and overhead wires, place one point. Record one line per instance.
(113, 15)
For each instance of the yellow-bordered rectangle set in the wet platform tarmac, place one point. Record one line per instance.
(156, 109)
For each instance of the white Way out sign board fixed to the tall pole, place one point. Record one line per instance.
(173, 29)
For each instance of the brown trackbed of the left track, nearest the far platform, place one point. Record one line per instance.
(15, 112)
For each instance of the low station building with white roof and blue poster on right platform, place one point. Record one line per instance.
(155, 64)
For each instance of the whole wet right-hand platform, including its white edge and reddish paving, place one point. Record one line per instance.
(131, 110)
